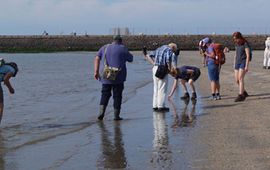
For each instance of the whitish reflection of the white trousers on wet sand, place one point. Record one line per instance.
(162, 155)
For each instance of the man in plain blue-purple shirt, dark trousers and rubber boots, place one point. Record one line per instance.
(115, 55)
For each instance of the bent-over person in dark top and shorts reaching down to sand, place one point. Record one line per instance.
(186, 74)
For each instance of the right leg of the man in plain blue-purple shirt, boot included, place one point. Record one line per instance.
(117, 100)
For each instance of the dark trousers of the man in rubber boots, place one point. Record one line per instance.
(106, 93)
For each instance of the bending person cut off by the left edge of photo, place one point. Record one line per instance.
(7, 71)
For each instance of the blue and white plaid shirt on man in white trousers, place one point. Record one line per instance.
(164, 55)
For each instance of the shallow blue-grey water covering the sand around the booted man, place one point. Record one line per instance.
(50, 121)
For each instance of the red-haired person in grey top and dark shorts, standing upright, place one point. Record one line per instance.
(241, 63)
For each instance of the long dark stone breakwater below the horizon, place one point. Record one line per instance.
(93, 43)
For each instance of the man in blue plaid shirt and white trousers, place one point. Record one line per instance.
(165, 55)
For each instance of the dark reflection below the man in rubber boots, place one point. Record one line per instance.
(113, 152)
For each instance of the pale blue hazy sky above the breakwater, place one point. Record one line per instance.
(99, 17)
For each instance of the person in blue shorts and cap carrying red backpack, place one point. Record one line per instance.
(213, 68)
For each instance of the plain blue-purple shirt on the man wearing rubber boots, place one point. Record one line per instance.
(116, 55)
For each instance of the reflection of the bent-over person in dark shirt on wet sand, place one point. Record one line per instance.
(186, 117)
